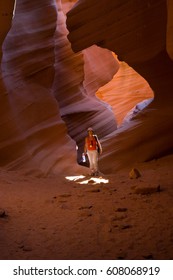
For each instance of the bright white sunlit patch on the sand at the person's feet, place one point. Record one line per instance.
(91, 180)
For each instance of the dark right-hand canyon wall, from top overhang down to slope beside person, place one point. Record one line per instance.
(139, 32)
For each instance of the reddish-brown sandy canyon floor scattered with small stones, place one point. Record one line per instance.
(54, 218)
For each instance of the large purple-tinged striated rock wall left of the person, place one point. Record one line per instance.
(34, 134)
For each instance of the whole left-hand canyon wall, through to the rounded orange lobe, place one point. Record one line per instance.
(47, 91)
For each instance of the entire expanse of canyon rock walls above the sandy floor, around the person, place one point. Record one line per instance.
(56, 55)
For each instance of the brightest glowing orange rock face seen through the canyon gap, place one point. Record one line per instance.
(127, 93)
